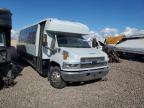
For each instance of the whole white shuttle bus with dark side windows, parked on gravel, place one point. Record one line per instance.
(57, 48)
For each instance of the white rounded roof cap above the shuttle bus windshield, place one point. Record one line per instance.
(56, 25)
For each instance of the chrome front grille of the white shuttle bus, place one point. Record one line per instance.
(92, 62)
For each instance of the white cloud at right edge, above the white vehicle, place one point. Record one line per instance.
(132, 31)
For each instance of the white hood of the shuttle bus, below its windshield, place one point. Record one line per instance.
(85, 52)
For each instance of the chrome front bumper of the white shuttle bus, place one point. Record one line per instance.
(84, 75)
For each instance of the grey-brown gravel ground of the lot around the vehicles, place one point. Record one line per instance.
(124, 88)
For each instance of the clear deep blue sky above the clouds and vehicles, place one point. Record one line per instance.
(97, 14)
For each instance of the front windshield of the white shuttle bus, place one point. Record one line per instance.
(76, 41)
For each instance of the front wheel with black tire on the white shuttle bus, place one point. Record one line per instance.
(55, 78)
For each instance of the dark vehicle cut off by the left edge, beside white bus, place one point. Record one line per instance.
(5, 44)
